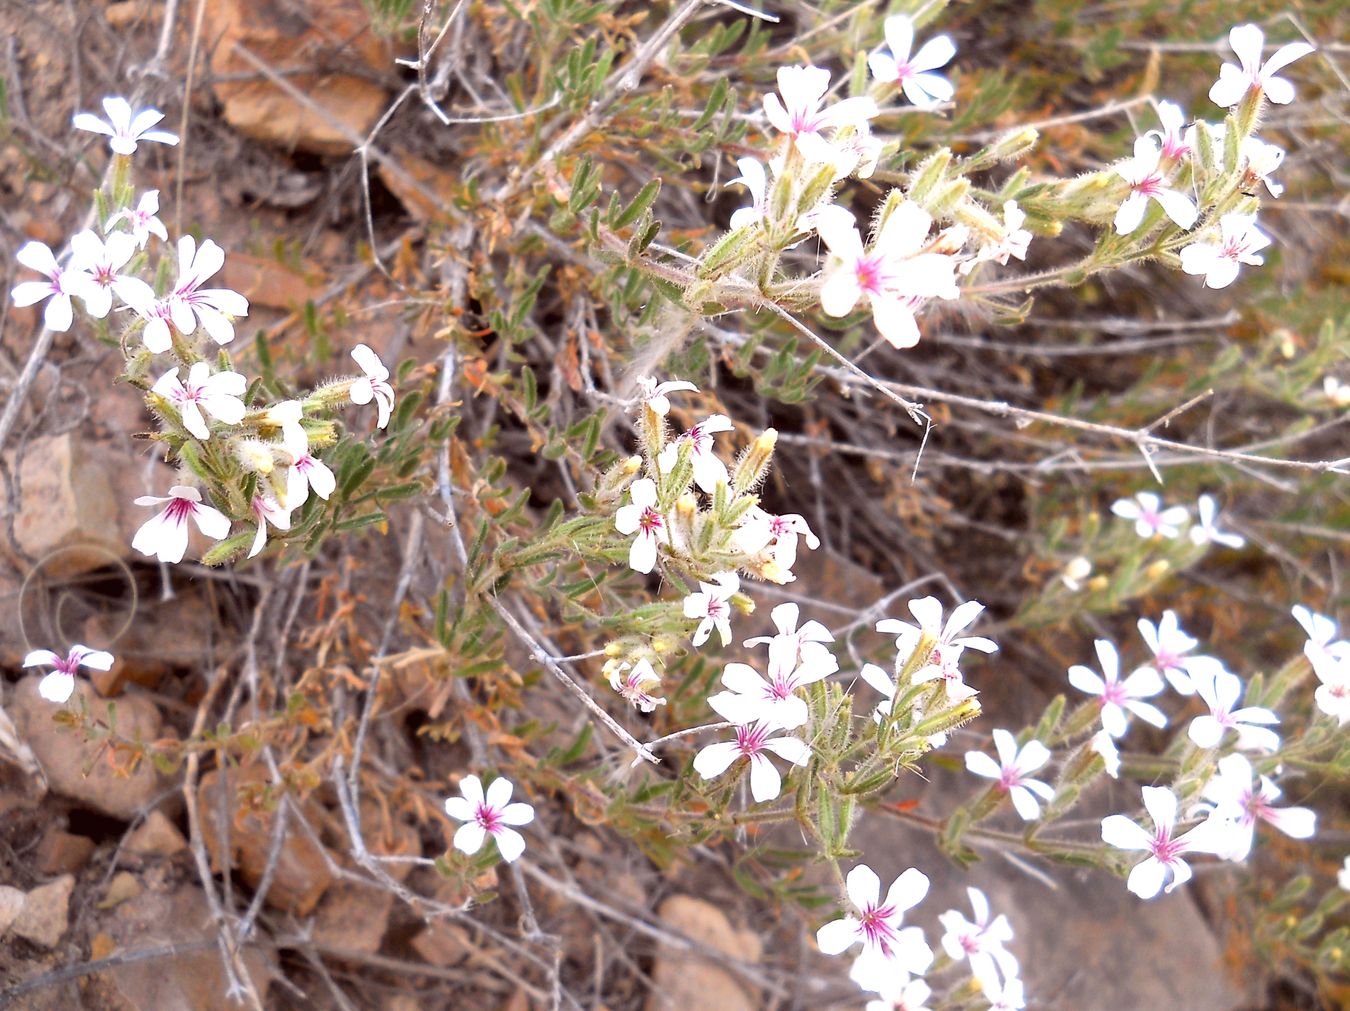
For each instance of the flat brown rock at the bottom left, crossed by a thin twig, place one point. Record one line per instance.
(186, 983)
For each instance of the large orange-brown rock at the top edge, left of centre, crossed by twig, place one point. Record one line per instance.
(308, 36)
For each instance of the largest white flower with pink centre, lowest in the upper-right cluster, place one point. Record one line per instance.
(893, 276)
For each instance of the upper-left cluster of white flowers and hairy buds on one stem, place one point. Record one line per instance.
(268, 466)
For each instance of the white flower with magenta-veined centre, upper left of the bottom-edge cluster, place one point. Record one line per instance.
(877, 924)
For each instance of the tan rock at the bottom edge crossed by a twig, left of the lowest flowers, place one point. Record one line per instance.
(684, 981)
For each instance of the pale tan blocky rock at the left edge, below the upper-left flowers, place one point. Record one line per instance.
(64, 524)
